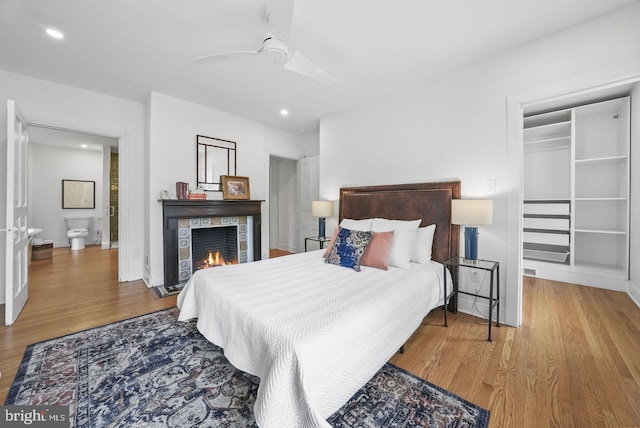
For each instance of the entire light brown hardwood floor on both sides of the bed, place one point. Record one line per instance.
(574, 362)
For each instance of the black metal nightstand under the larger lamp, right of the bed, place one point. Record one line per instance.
(456, 263)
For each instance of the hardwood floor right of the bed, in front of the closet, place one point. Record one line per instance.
(574, 362)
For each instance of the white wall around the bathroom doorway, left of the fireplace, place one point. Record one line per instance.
(48, 103)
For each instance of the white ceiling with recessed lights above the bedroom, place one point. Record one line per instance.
(128, 48)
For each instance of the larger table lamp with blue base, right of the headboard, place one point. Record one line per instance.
(471, 213)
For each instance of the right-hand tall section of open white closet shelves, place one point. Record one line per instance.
(602, 186)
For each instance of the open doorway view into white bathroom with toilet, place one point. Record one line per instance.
(57, 154)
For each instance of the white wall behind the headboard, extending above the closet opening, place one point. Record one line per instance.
(455, 125)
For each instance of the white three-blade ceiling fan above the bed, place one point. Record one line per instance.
(279, 15)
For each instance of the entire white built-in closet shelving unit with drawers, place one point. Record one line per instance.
(576, 189)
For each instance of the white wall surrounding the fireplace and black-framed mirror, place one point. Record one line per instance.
(173, 125)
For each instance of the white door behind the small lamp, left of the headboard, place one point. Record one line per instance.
(309, 190)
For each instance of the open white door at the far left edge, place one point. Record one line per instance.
(16, 284)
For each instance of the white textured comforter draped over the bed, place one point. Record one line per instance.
(314, 333)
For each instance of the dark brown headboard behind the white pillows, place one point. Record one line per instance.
(430, 202)
